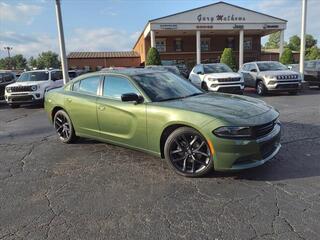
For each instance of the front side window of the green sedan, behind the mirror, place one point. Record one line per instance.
(115, 86)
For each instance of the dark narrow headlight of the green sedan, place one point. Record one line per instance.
(233, 132)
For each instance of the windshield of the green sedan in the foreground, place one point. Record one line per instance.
(165, 86)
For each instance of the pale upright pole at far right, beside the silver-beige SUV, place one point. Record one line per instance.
(303, 37)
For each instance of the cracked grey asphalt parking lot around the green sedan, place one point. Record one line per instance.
(92, 190)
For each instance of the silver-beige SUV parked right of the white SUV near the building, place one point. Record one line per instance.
(270, 76)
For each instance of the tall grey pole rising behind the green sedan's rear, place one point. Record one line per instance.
(63, 57)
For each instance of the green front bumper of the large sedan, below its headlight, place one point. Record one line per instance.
(233, 155)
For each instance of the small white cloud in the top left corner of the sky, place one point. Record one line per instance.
(23, 13)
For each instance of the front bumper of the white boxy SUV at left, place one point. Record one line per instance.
(24, 98)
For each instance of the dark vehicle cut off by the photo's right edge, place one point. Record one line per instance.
(312, 72)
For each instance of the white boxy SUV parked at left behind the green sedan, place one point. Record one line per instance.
(31, 87)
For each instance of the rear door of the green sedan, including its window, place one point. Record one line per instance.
(80, 104)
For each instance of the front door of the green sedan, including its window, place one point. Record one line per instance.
(121, 122)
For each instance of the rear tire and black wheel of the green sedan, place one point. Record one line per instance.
(63, 125)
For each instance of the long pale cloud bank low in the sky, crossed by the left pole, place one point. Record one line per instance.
(81, 39)
